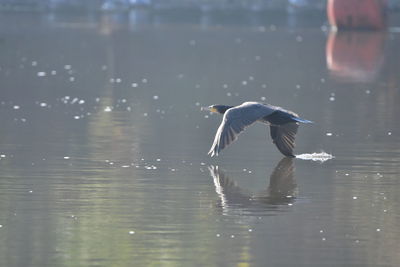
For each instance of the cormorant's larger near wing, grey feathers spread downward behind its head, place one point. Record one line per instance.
(234, 122)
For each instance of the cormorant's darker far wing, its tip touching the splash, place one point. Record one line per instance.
(283, 137)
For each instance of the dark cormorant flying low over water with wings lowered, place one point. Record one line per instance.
(283, 125)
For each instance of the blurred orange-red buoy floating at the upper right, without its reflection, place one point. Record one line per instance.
(357, 14)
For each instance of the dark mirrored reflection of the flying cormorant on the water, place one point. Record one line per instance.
(282, 190)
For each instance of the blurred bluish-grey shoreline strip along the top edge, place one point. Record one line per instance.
(204, 6)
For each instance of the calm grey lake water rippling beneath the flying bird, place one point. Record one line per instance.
(104, 147)
